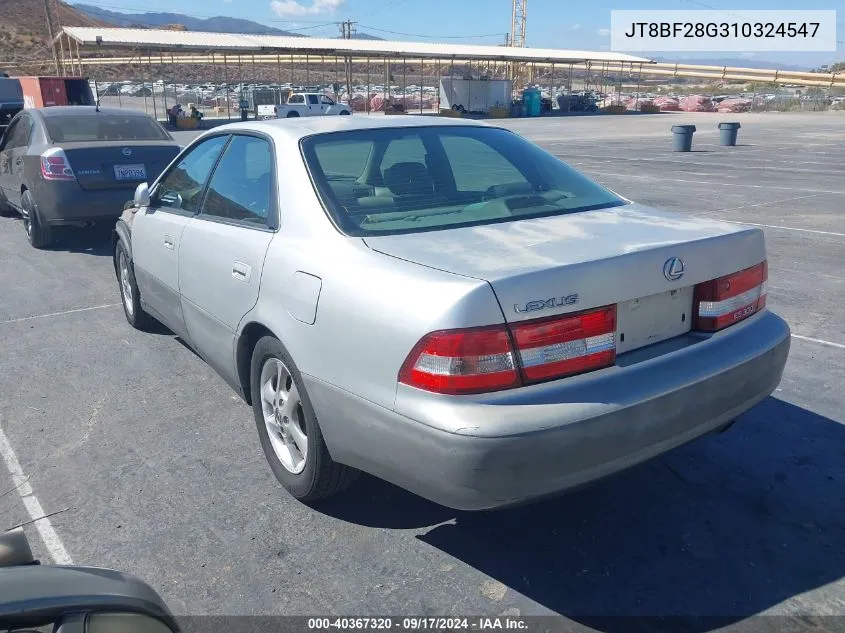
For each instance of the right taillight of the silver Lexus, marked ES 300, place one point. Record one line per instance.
(730, 299)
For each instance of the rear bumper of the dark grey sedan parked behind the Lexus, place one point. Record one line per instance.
(66, 203)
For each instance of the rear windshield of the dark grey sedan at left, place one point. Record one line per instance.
(103, 127)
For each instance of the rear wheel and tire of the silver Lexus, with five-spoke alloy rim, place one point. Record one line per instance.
(316, 476)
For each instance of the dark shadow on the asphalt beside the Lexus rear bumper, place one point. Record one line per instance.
(714, 532)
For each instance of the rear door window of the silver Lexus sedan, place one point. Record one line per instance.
(242, 185)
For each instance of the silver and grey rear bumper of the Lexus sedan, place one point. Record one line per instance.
(475, 453)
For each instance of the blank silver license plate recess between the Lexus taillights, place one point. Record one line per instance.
(652, 319)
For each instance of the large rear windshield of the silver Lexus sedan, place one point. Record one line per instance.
(408, 180)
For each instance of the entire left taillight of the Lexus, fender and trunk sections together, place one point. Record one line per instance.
(477, 360)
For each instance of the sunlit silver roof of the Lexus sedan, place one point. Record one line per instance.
(300, 127)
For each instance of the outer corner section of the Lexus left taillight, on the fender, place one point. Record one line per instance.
(462, 361)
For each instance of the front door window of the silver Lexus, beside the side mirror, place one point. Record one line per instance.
(183, 185)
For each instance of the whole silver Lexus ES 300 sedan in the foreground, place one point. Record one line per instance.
(446, 306)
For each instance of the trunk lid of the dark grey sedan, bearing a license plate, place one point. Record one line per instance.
(118, 165)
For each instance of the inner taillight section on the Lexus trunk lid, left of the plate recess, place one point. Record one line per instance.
(562, 346)
